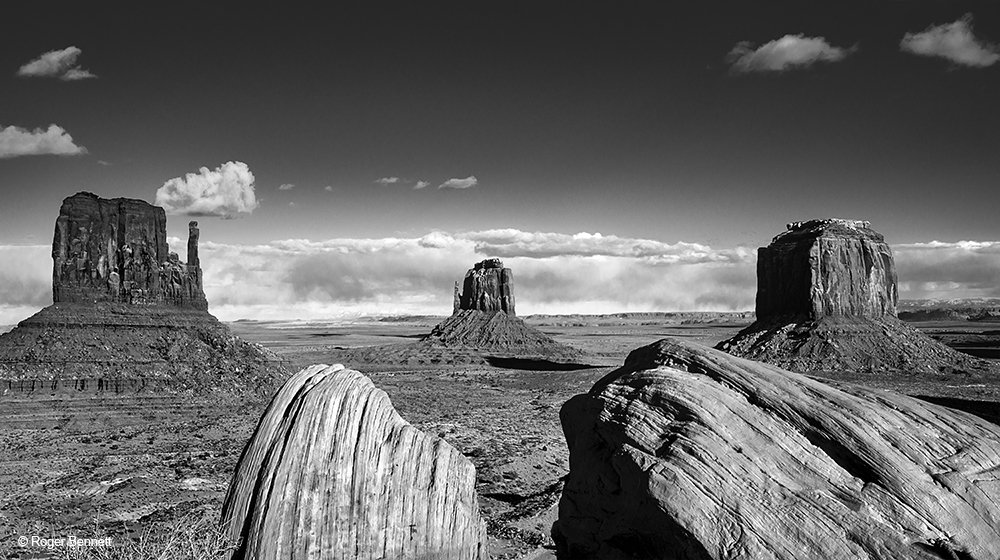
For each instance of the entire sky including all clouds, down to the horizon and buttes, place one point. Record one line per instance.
(618, 155)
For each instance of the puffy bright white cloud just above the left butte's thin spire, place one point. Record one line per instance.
(225, 192)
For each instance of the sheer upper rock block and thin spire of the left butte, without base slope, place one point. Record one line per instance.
(116, 251)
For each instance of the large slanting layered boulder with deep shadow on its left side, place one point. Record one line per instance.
(690, 453)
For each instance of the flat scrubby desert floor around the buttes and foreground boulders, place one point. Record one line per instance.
(134, 465)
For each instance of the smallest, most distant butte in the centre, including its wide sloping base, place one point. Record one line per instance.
(483, 328)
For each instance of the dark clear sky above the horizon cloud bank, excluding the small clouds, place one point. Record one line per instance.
(618, 117)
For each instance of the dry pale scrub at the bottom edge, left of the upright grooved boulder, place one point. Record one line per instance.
(195, 536)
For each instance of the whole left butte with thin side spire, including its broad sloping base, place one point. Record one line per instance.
(127, 314)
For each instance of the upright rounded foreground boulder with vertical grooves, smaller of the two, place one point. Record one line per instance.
(333, 472)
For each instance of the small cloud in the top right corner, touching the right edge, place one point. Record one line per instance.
(952, 41)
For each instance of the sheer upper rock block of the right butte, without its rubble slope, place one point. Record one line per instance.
(826, 268)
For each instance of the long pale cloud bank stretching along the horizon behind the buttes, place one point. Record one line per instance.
(553, 273)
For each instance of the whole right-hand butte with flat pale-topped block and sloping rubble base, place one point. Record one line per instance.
(826, 301)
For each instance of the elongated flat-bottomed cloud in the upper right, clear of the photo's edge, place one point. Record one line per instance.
(786, 53)
